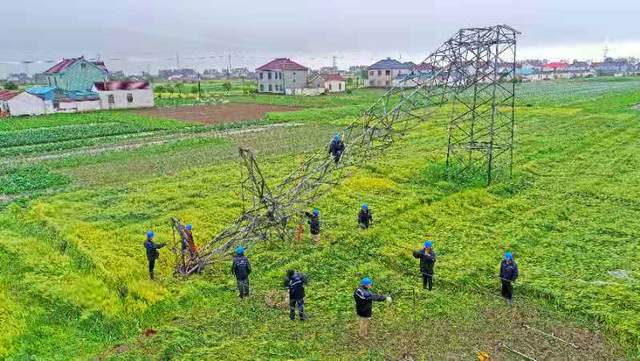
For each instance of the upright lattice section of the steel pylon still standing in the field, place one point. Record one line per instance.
(481, 127)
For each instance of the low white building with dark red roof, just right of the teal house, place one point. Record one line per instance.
(124, 94)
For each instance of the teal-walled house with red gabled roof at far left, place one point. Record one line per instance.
(75, 74)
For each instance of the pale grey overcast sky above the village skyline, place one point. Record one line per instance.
(149, 33)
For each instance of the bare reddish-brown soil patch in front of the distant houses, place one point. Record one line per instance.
(215, 114)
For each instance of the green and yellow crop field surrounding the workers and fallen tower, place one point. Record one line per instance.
(79, 191)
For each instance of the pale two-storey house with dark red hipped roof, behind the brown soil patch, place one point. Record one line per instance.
(281, 76)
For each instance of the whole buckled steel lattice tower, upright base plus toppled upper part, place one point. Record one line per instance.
(473, 72)
